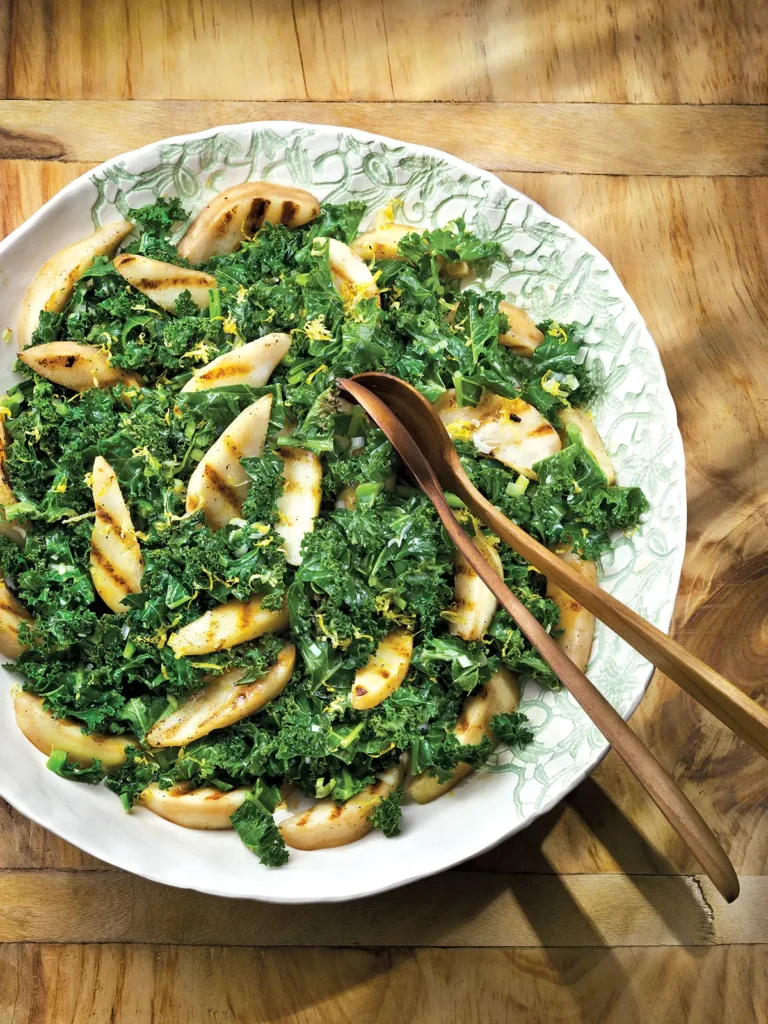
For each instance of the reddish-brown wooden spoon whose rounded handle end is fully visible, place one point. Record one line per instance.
(676, 807)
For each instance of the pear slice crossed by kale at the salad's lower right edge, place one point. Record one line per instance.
(500, 695)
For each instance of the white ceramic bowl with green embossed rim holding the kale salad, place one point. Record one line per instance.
(554, 273)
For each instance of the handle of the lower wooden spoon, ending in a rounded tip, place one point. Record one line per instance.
(675, 806)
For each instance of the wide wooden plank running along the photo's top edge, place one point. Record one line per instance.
(635, 52)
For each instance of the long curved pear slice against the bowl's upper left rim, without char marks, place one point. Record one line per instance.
(53, 287)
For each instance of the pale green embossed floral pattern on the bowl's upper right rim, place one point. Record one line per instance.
(550, 271)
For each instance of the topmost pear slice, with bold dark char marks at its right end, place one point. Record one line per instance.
(239, 212)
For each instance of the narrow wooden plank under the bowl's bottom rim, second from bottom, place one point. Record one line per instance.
(458, 909)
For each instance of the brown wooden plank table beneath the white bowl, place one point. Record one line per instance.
(644, 125)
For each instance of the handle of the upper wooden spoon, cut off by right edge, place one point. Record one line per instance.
(727, 702)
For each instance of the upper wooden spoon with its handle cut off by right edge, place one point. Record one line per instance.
(727, 702)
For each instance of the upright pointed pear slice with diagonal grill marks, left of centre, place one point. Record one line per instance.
(116, 558)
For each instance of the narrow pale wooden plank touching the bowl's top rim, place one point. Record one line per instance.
(589, 139)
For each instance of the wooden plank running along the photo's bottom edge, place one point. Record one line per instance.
(134, 986)
